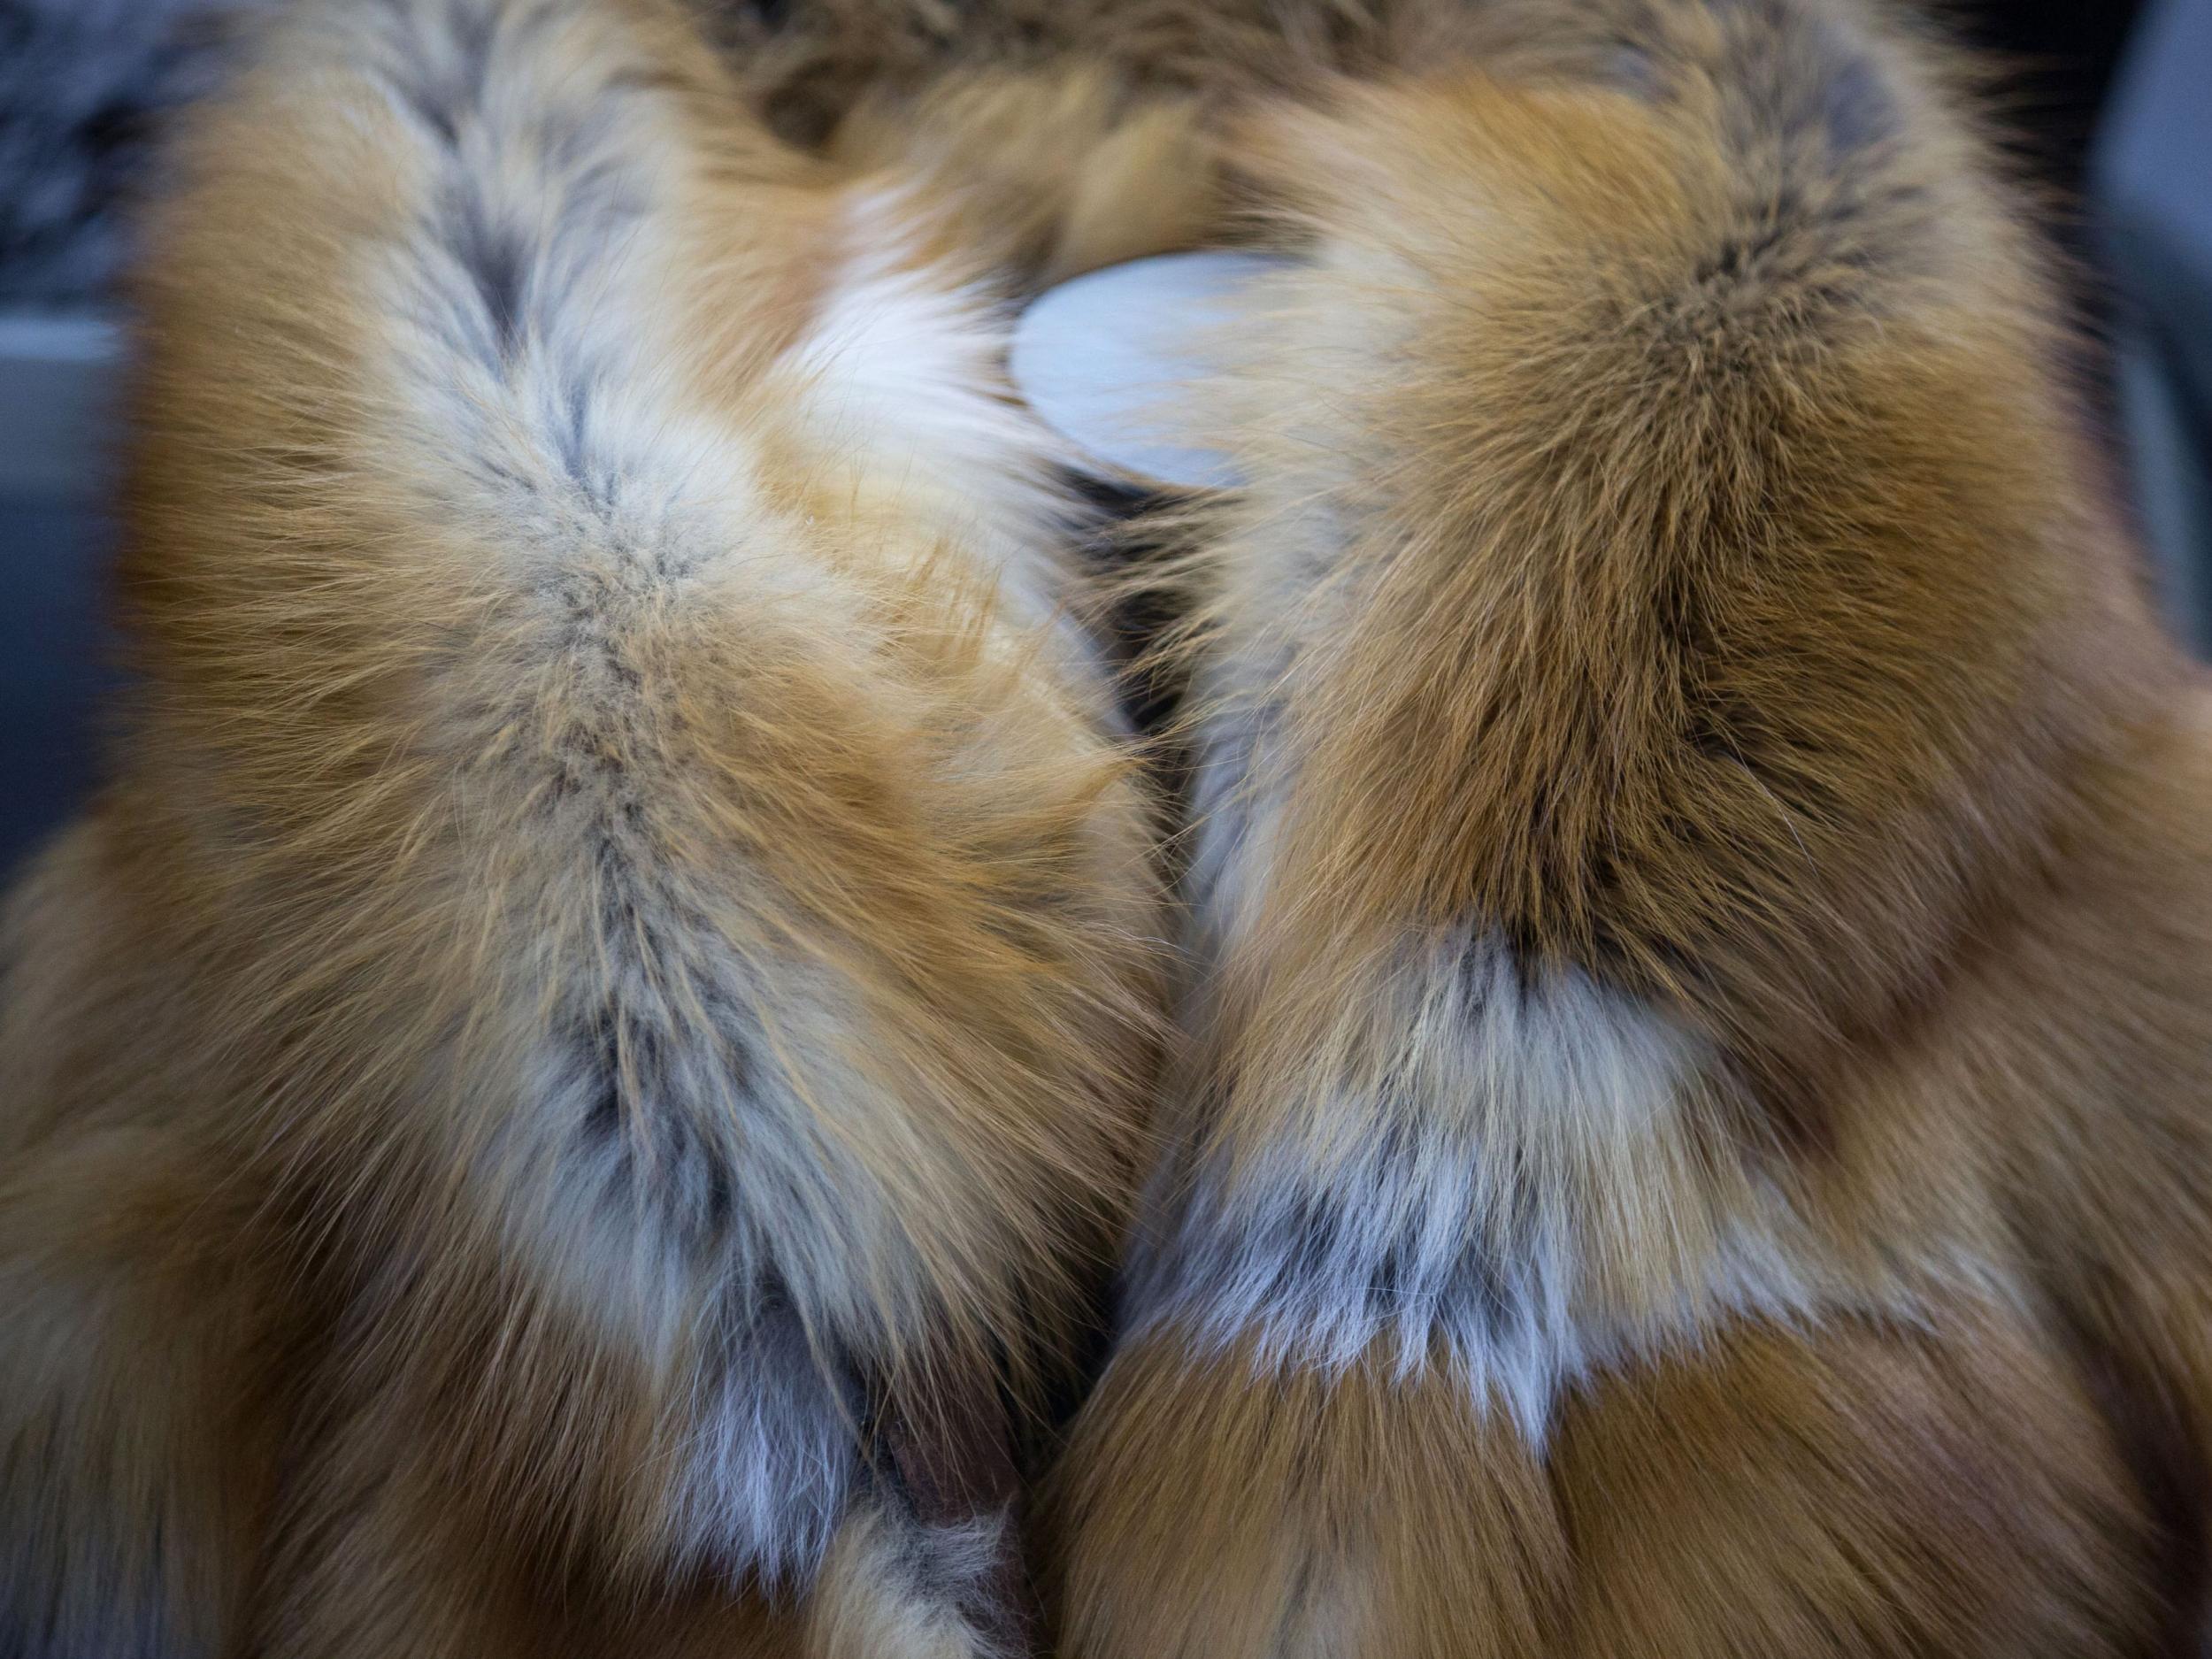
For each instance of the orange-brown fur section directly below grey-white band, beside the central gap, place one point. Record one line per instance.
(1231, 1512)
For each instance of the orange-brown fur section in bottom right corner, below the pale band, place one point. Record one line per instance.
(1872, 1492)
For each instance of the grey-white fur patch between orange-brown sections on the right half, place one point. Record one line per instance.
(1434, 1222)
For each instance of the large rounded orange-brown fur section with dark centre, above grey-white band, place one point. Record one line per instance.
(1698, 563)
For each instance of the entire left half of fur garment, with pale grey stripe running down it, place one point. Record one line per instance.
(576, 1083)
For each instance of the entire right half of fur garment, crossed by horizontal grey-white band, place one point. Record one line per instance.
(1695, 941)
